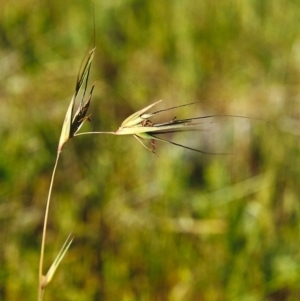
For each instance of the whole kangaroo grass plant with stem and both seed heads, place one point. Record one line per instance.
(138, 124)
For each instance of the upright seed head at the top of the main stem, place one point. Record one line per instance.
(73, 123)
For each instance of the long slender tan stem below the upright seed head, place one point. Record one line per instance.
(41, 288)
